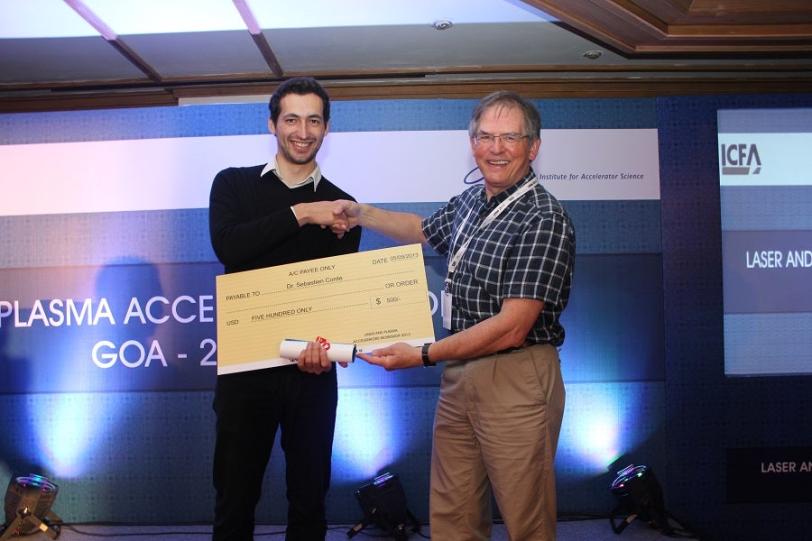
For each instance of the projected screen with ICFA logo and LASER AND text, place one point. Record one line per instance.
(766, 205)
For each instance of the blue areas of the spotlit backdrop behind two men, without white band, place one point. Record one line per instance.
(112, 440)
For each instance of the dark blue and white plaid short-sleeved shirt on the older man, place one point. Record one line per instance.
(528, 252)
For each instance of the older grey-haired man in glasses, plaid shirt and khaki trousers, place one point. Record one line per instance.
(510, 248)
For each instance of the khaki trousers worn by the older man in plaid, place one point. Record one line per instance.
(495, 431)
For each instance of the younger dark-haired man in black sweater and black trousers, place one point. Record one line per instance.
(258, 217)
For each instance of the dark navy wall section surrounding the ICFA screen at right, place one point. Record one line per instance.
(710, 416)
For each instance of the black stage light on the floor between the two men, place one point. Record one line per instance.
(383, 503)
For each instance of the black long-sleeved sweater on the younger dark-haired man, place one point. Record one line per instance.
(252, 226)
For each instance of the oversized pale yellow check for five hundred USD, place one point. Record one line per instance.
(370, 299)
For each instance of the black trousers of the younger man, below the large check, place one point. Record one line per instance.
(250, 407)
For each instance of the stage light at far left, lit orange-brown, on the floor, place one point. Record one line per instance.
(28, 507)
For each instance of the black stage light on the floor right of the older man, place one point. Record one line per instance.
(639, 496)
